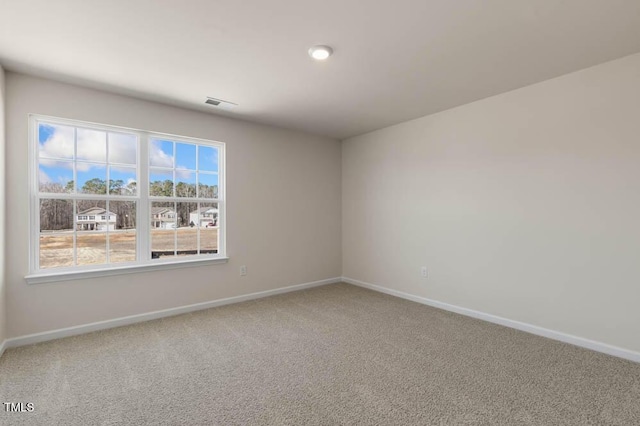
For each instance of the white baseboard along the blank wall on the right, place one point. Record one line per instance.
(529, 328)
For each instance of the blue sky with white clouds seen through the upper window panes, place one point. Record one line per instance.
(57, 161)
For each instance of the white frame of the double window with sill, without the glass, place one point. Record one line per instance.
(144, 261)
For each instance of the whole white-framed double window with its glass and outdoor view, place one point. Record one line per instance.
(106, 197)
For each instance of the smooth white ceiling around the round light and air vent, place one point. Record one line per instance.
(393, 61)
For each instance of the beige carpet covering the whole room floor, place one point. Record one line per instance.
(336, 354)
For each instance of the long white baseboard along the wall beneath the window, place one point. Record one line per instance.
(118, 322)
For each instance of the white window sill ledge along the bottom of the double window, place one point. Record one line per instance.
(49, 277)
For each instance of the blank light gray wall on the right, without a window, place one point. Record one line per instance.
(525, 205)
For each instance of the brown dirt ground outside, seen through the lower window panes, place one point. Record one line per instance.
(57, 250)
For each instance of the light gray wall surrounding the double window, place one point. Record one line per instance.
(283, 211)
